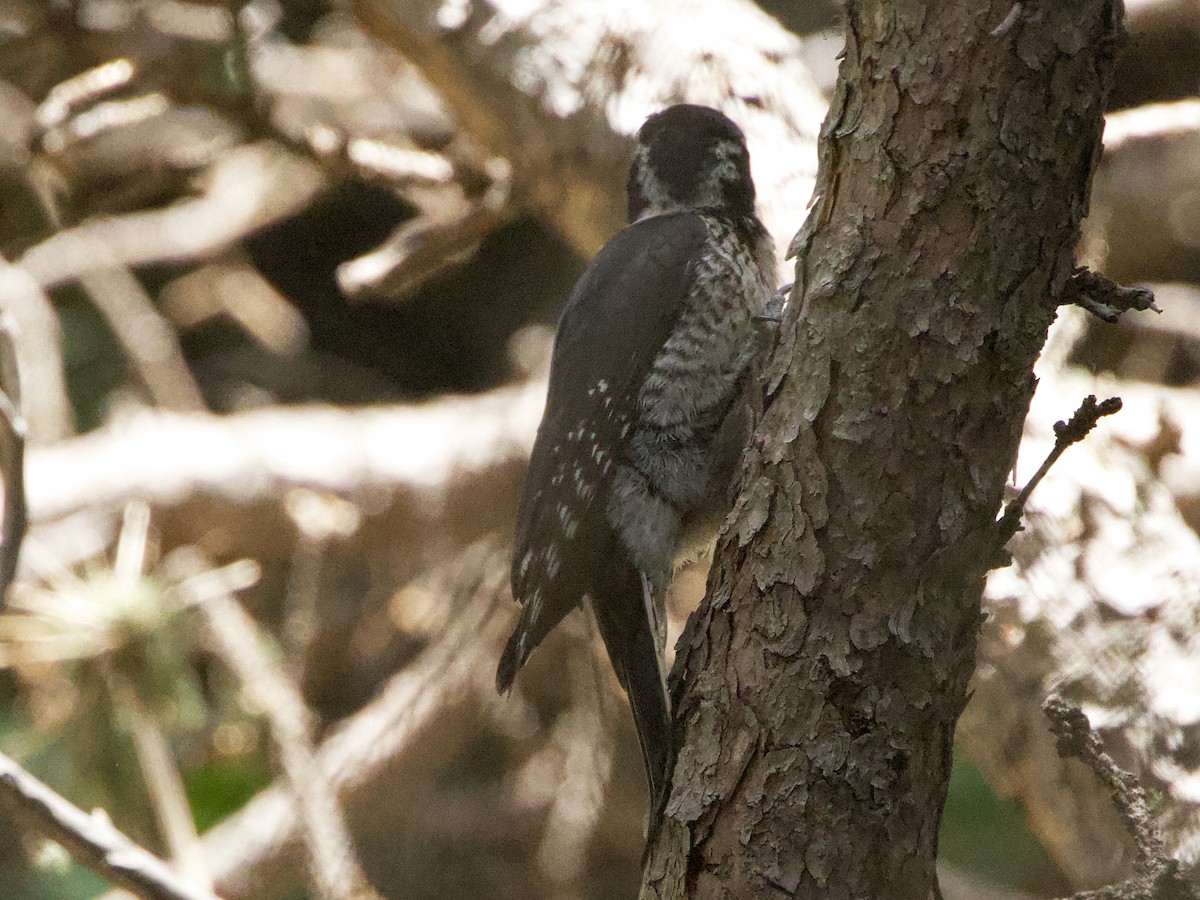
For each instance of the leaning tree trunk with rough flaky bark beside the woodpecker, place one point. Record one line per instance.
(823, 679)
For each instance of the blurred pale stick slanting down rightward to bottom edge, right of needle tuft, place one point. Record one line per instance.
(334, 868)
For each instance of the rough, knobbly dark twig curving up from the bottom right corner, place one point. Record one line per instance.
(1159, 877)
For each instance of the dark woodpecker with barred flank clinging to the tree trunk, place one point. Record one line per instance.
(645, 423)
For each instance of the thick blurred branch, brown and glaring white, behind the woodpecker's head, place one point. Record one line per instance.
(561, 91)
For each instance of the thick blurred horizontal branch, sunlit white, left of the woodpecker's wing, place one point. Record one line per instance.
(255, 458)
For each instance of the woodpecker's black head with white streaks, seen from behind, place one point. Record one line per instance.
(689, 158)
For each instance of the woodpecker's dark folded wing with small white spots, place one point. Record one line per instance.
(619, 317)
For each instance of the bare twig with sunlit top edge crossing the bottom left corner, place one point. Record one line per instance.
(92, 839)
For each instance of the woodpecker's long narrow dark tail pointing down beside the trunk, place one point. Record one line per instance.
(629, 621)
